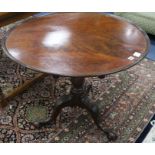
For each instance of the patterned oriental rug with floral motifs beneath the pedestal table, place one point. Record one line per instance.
(127, 104)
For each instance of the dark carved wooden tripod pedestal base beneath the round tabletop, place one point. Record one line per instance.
(78, 97)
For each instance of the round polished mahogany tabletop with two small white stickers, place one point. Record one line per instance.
(76, 44)
